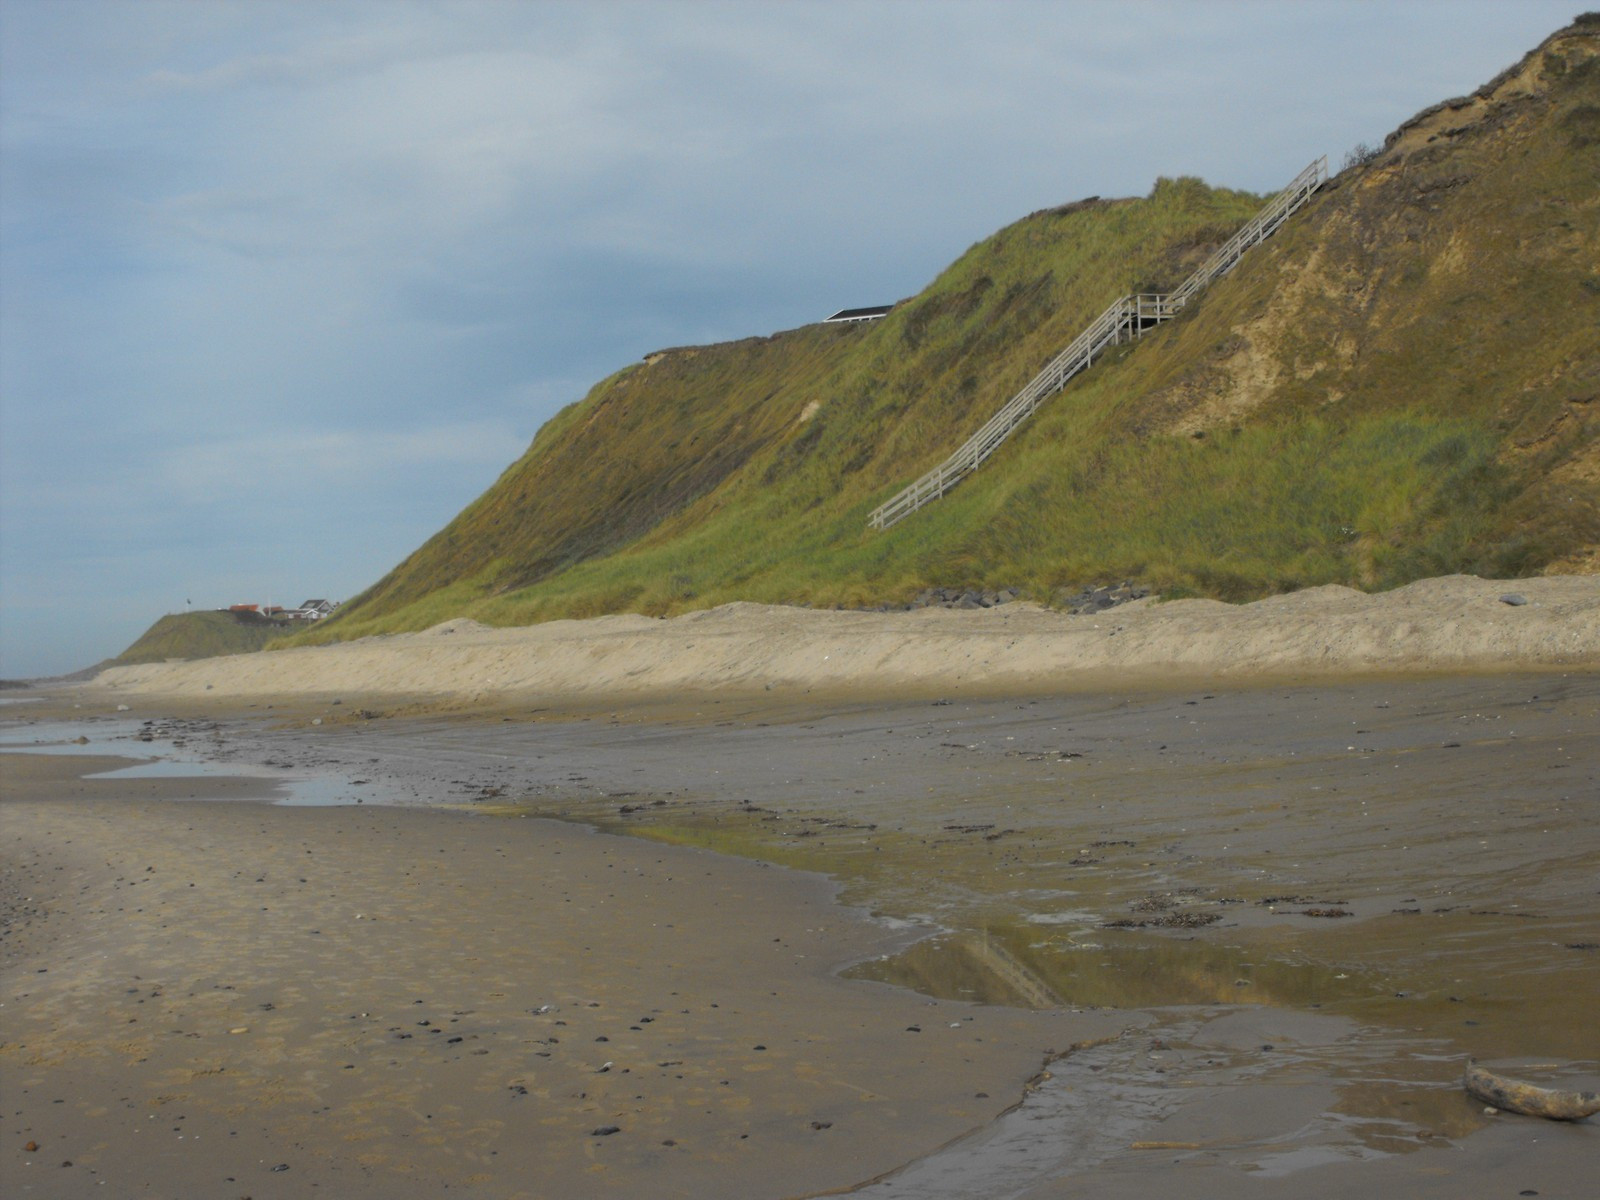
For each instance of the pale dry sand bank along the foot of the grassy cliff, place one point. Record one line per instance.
(1438, 625)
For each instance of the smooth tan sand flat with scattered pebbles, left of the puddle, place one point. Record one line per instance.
(238, 999)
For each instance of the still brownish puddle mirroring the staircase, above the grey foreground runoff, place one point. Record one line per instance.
(1026, 924)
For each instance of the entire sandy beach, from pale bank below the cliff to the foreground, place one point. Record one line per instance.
(1031, 922)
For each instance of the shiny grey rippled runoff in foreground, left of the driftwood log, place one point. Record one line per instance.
(1265, 1111)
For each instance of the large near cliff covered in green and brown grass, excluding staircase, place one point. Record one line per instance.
(1402, 383)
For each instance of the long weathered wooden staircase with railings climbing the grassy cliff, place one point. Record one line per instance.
(1126, 321)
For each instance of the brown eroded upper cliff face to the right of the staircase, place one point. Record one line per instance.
(1458, 268)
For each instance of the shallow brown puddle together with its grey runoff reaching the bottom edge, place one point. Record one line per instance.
(1026, 926)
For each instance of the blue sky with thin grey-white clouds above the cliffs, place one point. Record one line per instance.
(286, 286)
